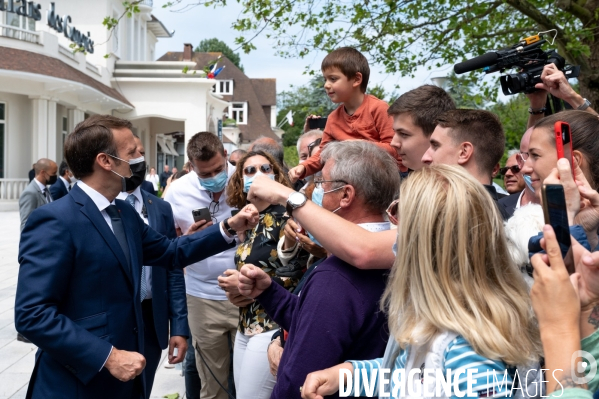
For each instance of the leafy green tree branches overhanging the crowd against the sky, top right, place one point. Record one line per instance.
(406, 36)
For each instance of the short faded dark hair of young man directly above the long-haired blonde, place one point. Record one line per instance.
(482, 129)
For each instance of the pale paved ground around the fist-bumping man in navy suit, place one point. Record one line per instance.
(17, 358)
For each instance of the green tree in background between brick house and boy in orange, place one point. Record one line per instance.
(302, 101)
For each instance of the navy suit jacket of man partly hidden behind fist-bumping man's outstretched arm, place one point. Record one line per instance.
(169, 302)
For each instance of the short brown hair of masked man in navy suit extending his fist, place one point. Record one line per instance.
(90, 138)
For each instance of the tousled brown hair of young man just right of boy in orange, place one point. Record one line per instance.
(425, 104)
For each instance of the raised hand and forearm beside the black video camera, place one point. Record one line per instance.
(556, 84)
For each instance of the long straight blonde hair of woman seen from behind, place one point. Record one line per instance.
(453, 270)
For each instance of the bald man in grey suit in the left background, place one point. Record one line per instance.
(36, 193)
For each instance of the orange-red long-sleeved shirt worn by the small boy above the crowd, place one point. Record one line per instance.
(369, 122)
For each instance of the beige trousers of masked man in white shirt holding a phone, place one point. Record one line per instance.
(212, 324)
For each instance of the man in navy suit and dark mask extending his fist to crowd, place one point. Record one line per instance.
(79, 288)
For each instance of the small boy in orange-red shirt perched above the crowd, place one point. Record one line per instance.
(360, 117)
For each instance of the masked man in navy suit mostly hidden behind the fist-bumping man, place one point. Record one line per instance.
(165, 298)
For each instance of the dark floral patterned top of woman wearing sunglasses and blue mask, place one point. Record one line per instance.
(260, 249)
